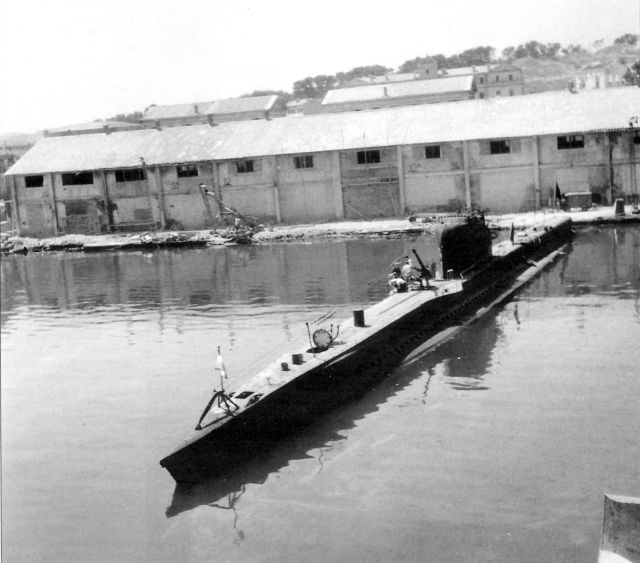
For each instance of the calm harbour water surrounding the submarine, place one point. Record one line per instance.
(497, 446)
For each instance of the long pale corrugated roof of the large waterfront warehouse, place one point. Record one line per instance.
(549, 113)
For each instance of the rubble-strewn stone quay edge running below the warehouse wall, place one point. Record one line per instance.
(423, 224)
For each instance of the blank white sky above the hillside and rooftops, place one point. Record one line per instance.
(64, 62)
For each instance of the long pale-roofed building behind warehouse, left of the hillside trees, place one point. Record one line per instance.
(221, 111)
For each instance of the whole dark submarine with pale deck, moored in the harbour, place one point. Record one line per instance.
(341, 362)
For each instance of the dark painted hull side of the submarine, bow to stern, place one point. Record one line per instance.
(343, 379)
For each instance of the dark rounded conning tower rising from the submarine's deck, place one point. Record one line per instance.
(464, 242)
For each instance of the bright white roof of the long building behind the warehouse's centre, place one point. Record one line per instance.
(399, 90)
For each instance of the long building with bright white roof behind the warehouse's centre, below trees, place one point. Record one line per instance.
(399, 94)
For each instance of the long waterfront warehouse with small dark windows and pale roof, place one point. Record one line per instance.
(500, 155)
